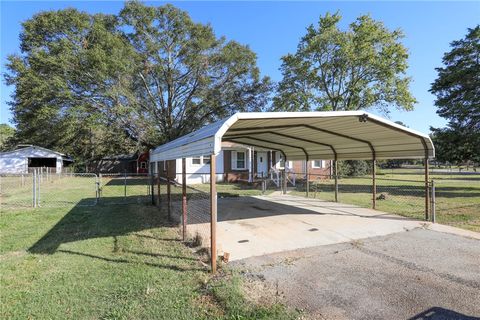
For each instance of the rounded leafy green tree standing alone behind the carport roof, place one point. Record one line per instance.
(360, 68)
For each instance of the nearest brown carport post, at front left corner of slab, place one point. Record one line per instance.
(213, 214)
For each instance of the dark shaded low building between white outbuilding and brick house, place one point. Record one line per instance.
(129, 163)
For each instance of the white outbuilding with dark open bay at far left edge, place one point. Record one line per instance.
(26, 158)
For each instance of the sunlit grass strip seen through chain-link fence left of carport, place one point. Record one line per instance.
(41, 188)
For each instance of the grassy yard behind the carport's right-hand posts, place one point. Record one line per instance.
(457, 195)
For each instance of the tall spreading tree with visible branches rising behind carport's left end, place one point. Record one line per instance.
(185, 75)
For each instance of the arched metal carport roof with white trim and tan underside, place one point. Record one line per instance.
(341, 135)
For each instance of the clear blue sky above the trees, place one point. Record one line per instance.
(273, 29)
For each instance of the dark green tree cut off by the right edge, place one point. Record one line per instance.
(457, 89)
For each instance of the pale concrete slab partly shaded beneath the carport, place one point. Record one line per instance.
(254, 226)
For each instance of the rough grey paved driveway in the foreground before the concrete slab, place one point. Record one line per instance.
(420, 274)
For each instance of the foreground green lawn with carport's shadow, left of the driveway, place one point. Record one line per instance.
(110, 262)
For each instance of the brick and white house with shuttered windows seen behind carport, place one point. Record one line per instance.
(234, 164)
